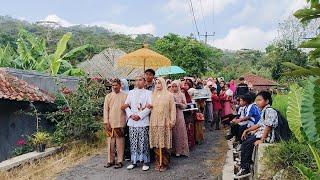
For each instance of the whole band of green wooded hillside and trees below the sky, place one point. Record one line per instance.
(194, 56)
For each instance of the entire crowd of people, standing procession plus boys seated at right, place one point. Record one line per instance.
(159, 118)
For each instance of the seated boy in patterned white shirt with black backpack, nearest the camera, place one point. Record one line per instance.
(264, 132)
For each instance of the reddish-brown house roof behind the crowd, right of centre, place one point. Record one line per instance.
(258, 83)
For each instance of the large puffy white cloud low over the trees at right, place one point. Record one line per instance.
(245, 37)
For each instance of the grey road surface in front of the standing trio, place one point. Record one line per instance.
(205, 162)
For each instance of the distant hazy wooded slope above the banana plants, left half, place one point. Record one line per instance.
(99, 37)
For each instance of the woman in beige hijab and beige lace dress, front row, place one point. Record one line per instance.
(162, 120)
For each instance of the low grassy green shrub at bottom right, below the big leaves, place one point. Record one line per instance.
(285, 154)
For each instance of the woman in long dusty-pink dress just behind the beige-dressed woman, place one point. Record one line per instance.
(179, 132)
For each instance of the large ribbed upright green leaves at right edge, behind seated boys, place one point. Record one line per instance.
(303, 116)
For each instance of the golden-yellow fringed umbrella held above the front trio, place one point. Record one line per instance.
(145, 58)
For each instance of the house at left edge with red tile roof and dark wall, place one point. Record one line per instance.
(18, 99)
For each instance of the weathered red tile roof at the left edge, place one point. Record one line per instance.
(12, 88)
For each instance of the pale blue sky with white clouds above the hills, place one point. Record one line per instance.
(236, 24)
